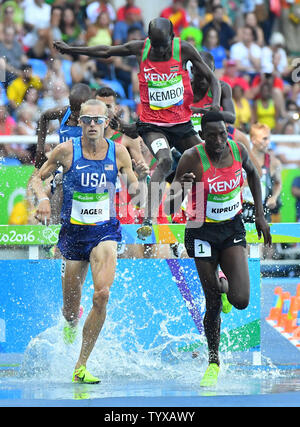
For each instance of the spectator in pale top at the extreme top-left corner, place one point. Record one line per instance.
(11, 15)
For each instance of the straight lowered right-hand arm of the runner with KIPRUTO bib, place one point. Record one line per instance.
(262, 226)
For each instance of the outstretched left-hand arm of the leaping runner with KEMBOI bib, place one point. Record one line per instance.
(101, 51)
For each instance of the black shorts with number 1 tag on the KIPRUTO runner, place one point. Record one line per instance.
(208, 241)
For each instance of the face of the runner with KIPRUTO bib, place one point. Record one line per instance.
(215, 136)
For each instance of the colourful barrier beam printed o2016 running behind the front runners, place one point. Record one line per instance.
(36, 235)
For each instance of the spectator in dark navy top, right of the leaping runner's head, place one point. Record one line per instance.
(224, 30)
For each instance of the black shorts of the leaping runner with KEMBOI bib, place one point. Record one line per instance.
(174, 134)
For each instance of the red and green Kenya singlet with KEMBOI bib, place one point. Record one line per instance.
(165, 88)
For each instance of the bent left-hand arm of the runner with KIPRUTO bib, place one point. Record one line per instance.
(186, 173)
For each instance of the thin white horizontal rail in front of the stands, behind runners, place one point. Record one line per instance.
(53, 139)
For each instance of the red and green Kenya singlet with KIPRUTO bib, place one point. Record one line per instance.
(222, 186)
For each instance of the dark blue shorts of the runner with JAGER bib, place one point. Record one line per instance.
(76, 242)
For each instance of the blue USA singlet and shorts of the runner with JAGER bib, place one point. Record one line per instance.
(88, 214)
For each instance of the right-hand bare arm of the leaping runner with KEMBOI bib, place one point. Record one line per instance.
(191, 54)
